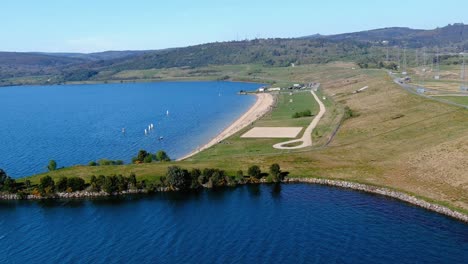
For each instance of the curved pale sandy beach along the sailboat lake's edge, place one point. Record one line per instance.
(261, 107)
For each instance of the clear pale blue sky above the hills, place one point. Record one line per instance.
(100, 25)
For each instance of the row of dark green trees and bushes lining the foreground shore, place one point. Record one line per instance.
(175, 178)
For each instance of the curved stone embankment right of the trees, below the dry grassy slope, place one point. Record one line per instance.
(384, 191)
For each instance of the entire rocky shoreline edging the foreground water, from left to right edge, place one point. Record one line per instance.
(343, 184)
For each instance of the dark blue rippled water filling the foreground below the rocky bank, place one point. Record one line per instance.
(251, 224)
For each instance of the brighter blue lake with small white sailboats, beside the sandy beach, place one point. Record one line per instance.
(75, 124)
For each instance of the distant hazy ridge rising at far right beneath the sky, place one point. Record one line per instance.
(451, 35)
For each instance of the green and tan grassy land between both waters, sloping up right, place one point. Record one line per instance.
(394, 139)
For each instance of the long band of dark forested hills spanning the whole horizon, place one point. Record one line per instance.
(366, 47)
